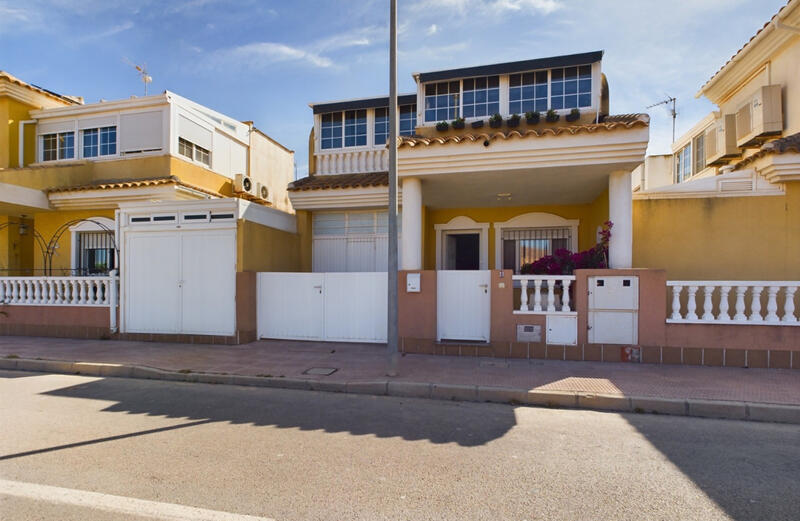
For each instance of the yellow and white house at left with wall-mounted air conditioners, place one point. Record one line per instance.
(68, 166)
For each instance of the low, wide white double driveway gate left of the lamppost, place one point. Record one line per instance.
(345, 307)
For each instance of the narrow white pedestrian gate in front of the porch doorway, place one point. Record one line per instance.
(463, 305)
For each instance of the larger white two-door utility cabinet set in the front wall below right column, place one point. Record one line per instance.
(614, 310)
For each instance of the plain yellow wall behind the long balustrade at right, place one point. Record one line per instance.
(725, 238)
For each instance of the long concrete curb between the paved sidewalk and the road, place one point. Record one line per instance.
(730, 410)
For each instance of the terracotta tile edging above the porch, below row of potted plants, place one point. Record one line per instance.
(622, 121)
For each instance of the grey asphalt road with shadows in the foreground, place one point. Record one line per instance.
(80, 448)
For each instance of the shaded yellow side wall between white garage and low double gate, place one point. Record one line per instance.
(260, 248)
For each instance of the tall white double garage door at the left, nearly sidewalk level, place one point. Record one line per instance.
(181, 282)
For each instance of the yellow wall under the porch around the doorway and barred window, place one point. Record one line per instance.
(590, 216)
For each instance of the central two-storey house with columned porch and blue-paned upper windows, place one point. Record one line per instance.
(482, 196)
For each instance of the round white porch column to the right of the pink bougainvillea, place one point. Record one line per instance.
(620, 212)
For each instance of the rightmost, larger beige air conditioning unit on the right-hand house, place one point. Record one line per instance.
(760, 117)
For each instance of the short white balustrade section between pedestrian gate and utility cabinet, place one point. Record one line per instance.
(546, 299)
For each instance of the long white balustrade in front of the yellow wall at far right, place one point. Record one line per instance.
(747, 299)
